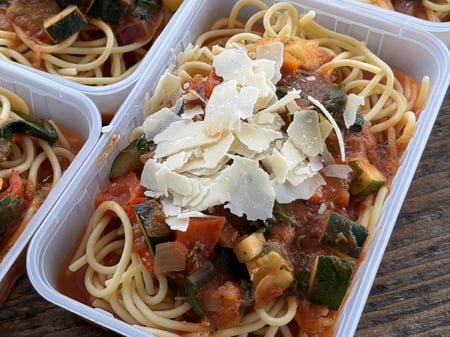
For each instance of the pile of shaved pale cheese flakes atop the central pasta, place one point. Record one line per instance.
(237, 156)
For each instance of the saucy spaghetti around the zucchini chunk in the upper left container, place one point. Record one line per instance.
(101, 53)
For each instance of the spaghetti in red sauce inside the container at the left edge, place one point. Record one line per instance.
(30, 164)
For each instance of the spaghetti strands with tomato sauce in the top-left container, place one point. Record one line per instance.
(94, 56)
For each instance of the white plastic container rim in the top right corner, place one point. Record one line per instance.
(440, 29)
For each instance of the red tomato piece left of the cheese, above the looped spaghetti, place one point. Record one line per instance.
(126, 191)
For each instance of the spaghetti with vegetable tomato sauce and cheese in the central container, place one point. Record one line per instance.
(116, 269)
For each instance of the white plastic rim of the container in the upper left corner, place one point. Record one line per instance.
(108, 98)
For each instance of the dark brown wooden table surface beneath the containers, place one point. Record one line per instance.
(411, 293)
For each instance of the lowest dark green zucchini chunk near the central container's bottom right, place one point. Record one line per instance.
(329, 280)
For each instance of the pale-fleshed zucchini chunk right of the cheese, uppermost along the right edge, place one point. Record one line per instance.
(367, 179)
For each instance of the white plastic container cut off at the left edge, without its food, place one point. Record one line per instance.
(68, 108)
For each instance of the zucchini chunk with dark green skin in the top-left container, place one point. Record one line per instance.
(66, 23)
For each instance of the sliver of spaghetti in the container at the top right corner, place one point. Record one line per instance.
(431, 10)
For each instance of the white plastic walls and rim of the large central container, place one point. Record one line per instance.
(429, 56)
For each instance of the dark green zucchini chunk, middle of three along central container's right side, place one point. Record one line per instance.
(343, 235)
